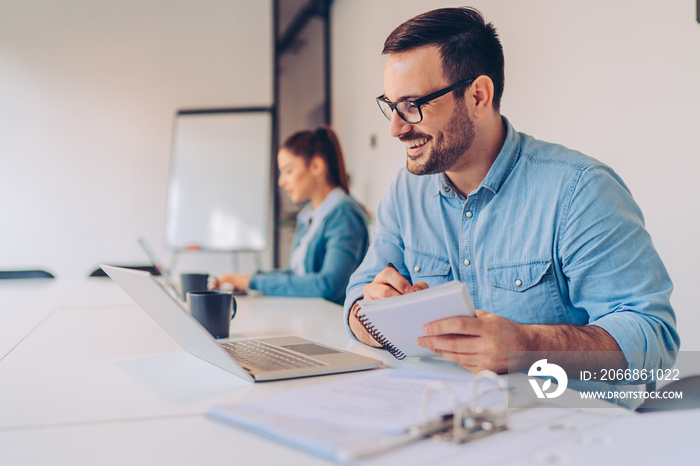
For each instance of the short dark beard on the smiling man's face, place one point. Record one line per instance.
(449, 145)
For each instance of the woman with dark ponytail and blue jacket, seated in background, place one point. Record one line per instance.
(331, 237)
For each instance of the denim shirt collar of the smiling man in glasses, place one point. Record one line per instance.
(498, 172)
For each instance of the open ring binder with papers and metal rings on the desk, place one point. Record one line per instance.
(301, 418)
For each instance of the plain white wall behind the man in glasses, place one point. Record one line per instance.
(618, 80)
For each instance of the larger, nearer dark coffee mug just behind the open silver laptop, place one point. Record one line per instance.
(214, 310)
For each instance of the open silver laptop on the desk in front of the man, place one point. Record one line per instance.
(257, 360)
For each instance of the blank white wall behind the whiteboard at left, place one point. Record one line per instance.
(88, 91)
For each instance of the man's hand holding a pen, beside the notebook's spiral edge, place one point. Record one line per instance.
(386, 283)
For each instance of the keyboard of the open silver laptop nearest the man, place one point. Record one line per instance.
(268, 357)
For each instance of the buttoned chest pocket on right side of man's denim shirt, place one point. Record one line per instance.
(525, 292)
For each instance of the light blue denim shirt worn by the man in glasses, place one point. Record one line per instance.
(551, 236)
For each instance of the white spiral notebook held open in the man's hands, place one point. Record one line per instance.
(397, 322)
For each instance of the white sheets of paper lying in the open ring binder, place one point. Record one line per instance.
(352, 417)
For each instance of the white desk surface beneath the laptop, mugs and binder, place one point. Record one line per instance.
(87, 378)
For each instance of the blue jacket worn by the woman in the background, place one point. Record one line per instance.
(334, 252)
